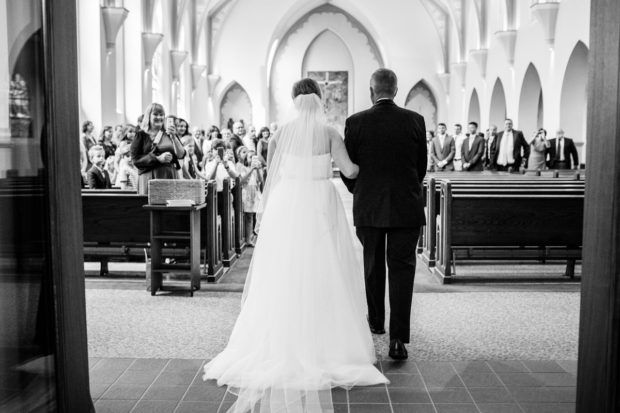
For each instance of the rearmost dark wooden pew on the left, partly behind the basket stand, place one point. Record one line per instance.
(116, 226)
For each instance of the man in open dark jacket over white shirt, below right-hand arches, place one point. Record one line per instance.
(509, 150)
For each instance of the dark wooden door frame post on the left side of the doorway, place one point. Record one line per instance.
(62, 155)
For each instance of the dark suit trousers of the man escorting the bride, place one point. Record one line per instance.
(401, 261)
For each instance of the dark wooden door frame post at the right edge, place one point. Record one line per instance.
(598, 384)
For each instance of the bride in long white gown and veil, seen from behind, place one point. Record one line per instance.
(302, 329)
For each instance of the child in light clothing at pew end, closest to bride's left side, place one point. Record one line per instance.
(251, 178)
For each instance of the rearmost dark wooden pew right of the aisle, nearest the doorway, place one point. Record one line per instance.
(525, 223)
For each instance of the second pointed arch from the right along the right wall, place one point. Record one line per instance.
(531, 109)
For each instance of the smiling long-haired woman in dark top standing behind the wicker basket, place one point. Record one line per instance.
(156, 150)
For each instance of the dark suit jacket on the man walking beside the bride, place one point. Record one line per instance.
(389, 145)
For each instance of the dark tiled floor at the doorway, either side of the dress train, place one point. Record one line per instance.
(175, 385)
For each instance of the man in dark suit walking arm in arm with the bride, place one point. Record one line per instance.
(389, 145)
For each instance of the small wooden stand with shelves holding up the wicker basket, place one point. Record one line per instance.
(159, 235)
